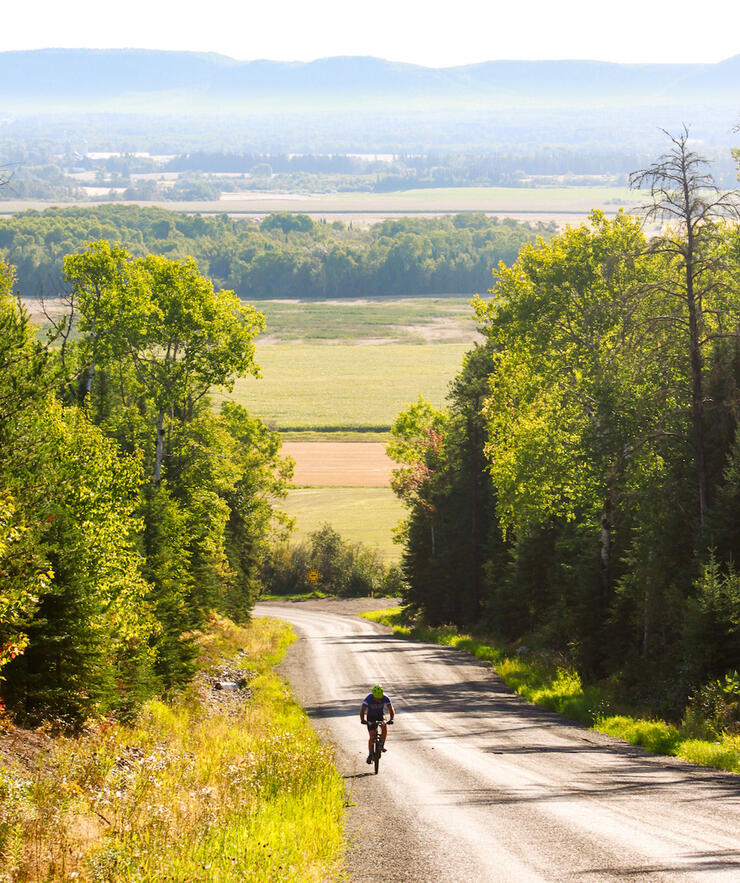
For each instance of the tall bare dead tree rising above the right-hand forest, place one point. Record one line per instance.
(683, 194)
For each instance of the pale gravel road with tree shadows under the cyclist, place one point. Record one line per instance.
(478, 785)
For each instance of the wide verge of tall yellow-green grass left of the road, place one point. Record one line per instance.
(214, 786)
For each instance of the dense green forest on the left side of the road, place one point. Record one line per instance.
(128, 509)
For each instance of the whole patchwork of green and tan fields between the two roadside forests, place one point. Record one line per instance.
(334, 376)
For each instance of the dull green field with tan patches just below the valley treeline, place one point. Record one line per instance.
(403, 320)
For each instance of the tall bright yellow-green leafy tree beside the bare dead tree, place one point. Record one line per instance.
(572, 386)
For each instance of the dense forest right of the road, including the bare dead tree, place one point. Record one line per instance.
(580, 492)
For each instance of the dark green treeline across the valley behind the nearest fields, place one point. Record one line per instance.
(285, 255)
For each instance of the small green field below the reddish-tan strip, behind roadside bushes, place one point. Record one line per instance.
(366, 515)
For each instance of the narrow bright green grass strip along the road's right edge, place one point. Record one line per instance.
(558, 688)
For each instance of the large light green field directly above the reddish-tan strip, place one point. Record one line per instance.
(345, 386)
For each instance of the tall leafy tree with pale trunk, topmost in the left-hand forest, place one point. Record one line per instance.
(160, 324)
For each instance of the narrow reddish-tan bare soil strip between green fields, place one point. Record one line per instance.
(339, 464)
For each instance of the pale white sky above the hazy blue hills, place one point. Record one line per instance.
(433, 34)
